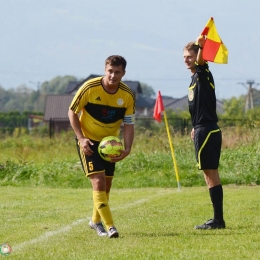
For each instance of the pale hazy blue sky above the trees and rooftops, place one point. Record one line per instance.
(42, 39)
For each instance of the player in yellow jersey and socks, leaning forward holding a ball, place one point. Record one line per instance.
(104, 104)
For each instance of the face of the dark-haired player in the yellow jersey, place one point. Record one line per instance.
(113, 75)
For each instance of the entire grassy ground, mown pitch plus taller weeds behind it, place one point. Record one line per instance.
(46, 201)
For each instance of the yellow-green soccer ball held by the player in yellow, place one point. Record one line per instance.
(109, 147)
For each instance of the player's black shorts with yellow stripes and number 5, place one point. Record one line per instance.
(94, 163)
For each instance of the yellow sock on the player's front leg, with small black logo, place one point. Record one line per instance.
(101, 205)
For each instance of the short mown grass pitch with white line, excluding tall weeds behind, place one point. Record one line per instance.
(154, 223)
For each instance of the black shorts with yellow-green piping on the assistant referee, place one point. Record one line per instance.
(207, 142)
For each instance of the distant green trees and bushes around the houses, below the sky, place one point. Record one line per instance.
(17, 104)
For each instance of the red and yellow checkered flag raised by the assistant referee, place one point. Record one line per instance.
(214, 49)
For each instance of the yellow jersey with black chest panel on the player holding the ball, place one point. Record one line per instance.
(101, 112)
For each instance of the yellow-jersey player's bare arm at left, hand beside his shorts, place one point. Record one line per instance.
(75, 124)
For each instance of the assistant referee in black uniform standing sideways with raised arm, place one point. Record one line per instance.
(206, 134)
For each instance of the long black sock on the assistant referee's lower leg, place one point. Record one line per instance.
(216, 195)
